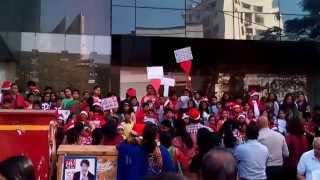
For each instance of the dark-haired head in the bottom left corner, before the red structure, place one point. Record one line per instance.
(17, 168)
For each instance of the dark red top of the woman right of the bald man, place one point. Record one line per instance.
(297, 145)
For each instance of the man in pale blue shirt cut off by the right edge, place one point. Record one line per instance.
(309, 164)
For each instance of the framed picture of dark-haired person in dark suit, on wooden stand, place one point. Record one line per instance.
(79, 168)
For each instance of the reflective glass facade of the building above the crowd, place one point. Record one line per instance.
(69, 42)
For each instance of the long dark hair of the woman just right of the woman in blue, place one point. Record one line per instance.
(181, 131)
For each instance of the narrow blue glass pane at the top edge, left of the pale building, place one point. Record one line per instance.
(174, 4)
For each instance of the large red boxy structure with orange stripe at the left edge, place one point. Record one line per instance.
(29, 133)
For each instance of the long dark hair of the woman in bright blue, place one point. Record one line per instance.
(149, 136)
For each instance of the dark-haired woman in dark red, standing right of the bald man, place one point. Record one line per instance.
(297, 144)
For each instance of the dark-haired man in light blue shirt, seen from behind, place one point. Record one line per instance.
(252, 156)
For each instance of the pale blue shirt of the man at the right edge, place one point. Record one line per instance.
(309, 166)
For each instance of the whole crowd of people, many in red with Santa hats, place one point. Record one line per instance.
(192, 135)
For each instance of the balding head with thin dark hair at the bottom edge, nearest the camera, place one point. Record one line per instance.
(218, 164)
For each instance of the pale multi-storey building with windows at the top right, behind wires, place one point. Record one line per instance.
(235, 19)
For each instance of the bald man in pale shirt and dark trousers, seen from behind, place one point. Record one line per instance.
(277, 147)
